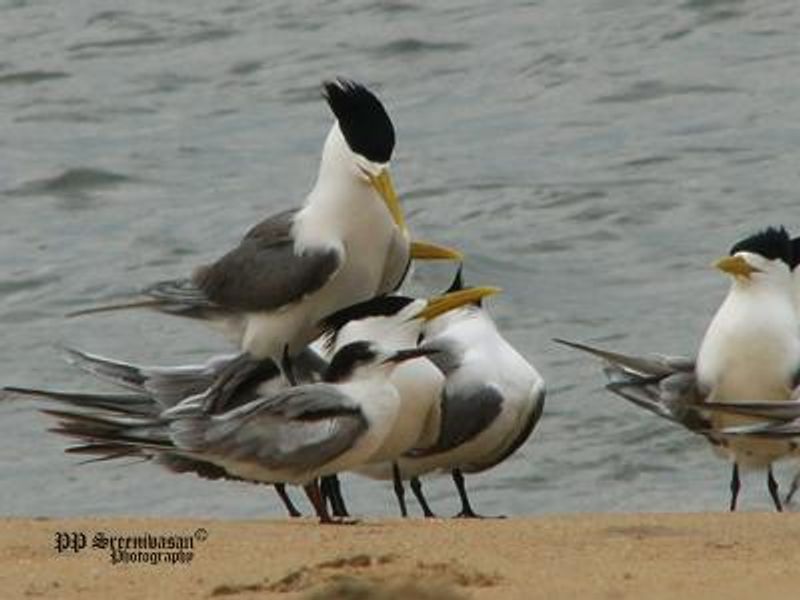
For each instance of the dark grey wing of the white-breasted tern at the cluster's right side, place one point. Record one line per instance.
(464, 416)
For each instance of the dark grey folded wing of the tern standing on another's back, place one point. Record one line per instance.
(264, 272)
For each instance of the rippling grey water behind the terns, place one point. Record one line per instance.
(591, 158)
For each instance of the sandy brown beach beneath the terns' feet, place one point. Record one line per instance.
(576, 556)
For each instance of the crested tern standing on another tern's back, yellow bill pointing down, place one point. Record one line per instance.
(348, 243)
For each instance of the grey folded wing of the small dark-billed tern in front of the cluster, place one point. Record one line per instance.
(297, 429)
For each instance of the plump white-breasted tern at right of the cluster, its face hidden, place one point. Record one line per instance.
(490, 403)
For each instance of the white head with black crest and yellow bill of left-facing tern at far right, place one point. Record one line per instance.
(764, 259)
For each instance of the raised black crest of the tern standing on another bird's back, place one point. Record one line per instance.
(362, 118)
